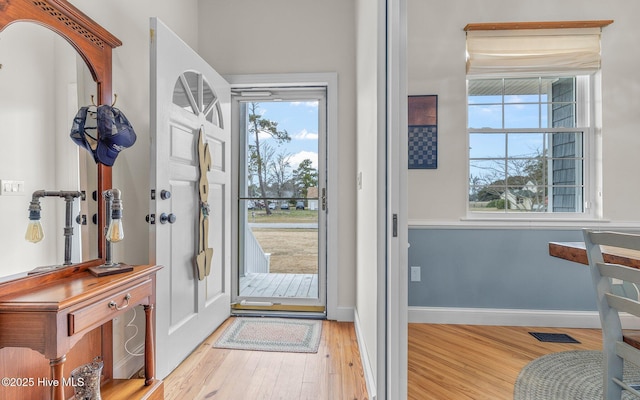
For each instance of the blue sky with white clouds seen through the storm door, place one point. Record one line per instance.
(300, 120)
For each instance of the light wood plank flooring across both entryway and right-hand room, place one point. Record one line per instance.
(446, 362)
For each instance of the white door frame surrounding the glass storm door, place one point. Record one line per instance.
(330, 80)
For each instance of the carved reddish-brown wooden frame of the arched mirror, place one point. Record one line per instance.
(95, 45)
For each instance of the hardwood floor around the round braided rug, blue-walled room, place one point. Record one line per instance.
(462, 362)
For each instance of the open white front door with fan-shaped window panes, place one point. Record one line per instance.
(187, 97)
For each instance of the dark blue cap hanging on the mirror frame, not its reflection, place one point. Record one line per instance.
(115, 134)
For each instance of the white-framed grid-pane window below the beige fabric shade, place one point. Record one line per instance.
(527, 144)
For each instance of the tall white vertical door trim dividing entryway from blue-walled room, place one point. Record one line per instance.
(395, 323)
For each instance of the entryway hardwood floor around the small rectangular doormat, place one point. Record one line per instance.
(334, 372)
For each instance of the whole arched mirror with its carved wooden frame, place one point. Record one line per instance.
(53, 59)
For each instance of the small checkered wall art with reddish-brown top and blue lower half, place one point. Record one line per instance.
(423, 132)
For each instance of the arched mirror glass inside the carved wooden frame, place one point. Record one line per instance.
(42, 81)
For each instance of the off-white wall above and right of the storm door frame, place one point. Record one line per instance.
(285, 36)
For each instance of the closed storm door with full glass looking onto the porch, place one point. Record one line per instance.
(281, 199)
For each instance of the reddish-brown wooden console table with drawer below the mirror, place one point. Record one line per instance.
(53, 317)
